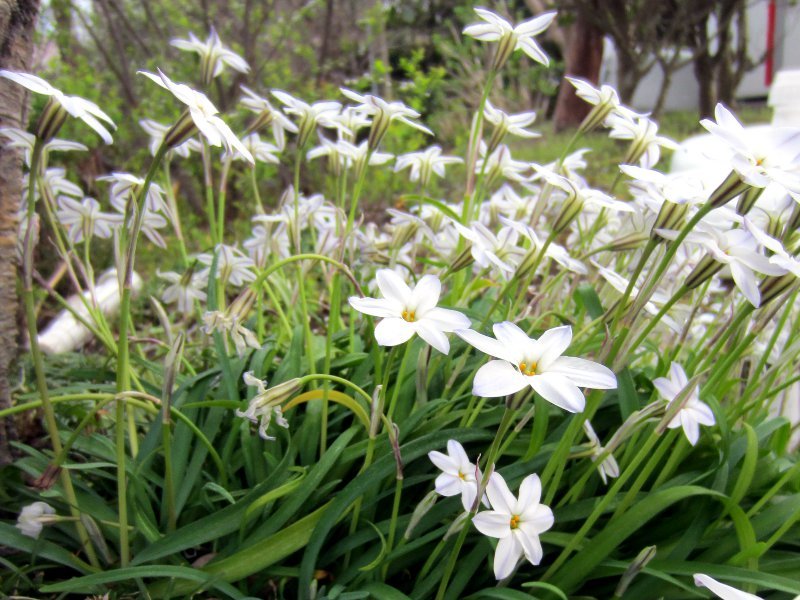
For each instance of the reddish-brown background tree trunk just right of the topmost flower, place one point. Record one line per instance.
(583, 57)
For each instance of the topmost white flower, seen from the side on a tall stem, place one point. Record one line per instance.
(496, 29)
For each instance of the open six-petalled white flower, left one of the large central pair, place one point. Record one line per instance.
(406, 311)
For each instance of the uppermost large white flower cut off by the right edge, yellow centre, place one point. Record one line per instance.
(759, 156)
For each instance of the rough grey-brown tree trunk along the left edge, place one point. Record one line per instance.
(17, 23)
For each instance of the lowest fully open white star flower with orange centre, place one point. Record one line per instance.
(516, 522)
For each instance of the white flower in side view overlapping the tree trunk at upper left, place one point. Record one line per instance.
(59, 106)
